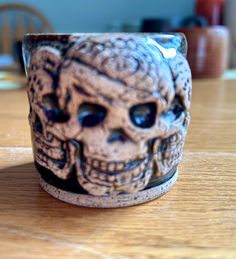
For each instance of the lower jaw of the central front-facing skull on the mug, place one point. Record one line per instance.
(100, 183)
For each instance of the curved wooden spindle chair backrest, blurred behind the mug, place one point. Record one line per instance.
(15, 21)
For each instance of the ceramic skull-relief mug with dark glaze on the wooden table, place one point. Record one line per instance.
(108, 114)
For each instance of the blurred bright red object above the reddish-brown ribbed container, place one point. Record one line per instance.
(212, 10)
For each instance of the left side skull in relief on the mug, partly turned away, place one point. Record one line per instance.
(50, 148)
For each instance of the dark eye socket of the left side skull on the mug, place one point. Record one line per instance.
(52, 110)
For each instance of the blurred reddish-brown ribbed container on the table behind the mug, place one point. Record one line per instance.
(207, 50)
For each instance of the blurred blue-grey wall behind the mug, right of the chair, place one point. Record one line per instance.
(97, 15)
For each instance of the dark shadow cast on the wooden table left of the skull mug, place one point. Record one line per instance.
(21, 195)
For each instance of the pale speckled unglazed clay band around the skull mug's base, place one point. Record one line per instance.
(113, 201)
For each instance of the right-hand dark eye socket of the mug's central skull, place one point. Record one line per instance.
(143, 115)
